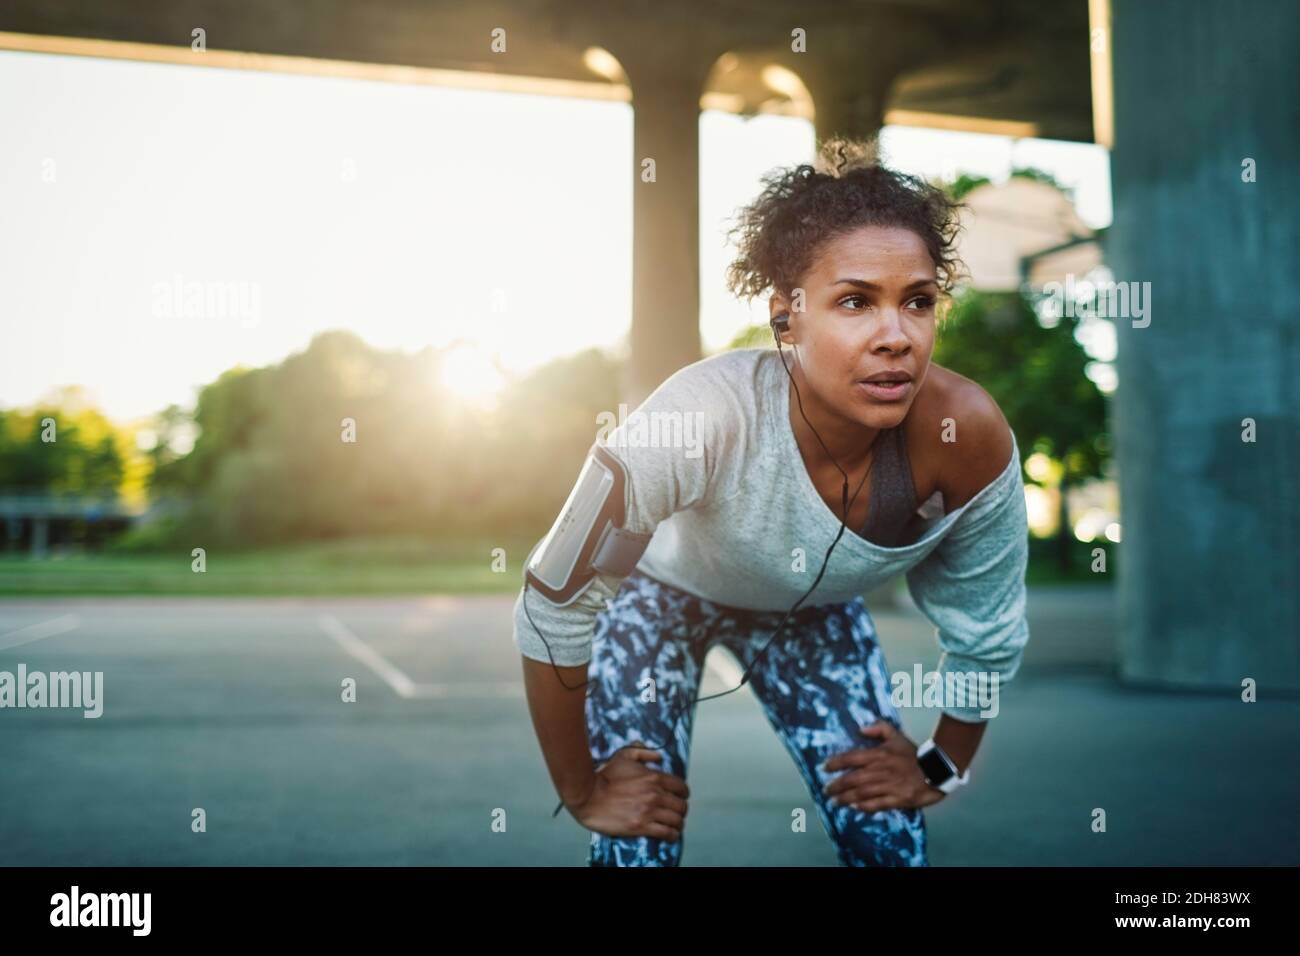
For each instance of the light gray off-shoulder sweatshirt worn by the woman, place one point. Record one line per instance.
(716, 474)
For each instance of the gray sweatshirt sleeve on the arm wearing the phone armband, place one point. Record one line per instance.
(671, 448)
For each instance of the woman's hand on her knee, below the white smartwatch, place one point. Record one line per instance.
(886, 777)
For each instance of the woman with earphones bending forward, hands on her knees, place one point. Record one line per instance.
(857, 259)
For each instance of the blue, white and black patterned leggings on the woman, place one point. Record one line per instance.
(821, 681)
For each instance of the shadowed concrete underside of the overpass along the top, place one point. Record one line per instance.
(1022, 62)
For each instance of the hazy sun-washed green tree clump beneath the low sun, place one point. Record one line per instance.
(272, 462)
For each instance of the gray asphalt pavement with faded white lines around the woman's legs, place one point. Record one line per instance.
(235, 708)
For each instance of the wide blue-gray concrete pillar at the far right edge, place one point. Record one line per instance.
(1211, 552)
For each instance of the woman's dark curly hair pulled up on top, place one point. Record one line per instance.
(803, 207)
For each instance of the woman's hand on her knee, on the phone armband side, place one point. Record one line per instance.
(631, 799)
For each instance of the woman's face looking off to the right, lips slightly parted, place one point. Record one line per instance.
(869, 308)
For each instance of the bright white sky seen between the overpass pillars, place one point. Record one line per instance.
(411, 215)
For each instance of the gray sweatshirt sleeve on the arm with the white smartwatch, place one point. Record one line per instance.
(972, 587)
